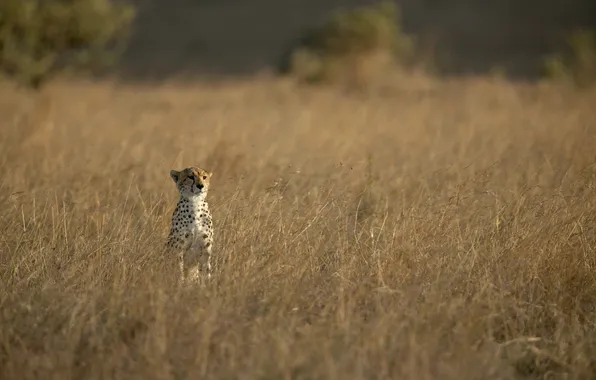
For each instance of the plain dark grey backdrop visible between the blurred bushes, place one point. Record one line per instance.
(236, 37)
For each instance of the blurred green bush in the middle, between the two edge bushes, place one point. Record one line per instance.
(353, 44)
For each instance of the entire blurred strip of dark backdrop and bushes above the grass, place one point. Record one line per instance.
(157, 40)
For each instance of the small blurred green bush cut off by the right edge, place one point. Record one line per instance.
(577, 64)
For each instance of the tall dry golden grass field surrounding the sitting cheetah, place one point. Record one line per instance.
(431, 229)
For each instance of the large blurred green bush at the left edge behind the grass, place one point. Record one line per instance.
(41, 37)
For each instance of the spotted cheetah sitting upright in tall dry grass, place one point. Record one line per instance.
(191, 234)
